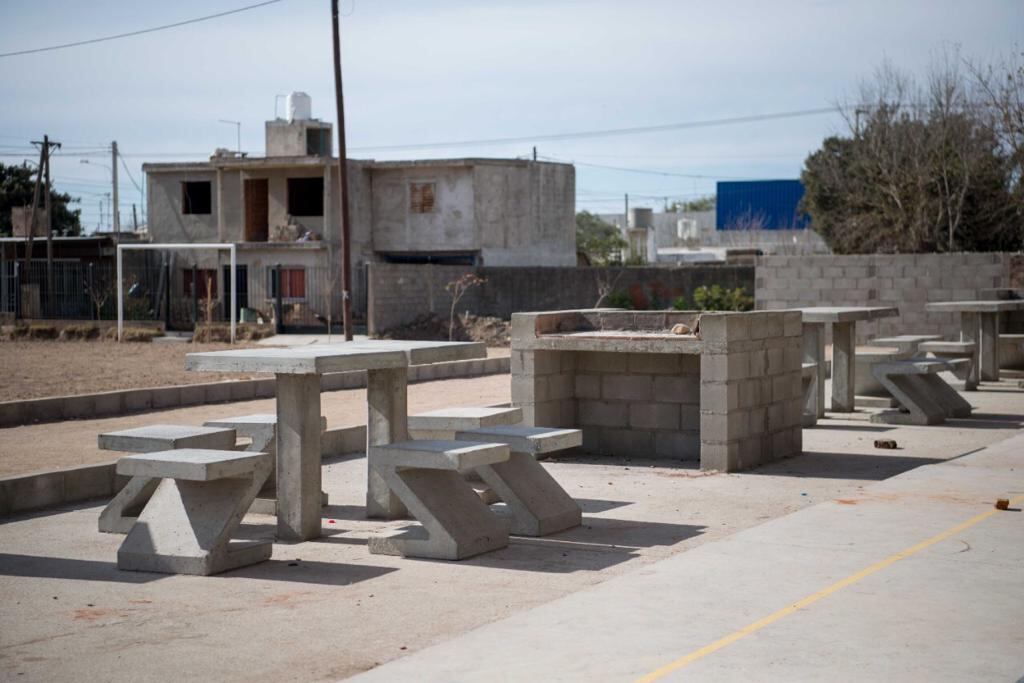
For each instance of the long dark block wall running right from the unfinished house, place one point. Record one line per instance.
(401, 293)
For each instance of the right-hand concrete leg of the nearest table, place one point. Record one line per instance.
(388, 422)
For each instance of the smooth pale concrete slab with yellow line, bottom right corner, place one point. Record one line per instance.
(918, 578)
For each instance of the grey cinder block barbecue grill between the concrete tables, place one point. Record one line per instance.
(730, 397)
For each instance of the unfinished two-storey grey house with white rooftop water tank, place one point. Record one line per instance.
(284, 209)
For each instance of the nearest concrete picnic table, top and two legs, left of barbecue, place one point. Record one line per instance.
(298, 373)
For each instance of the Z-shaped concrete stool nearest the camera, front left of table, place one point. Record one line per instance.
(187, 526)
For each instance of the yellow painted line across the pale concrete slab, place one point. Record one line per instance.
(812, 600)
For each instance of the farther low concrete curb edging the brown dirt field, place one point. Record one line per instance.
(112, 404)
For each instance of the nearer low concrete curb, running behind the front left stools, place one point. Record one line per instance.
(26, 493)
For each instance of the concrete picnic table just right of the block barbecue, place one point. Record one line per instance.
(843, 321)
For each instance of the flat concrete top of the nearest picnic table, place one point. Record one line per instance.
(371, 355)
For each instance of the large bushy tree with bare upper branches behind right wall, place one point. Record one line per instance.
(922, 169)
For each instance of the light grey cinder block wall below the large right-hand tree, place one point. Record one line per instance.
(905, 281)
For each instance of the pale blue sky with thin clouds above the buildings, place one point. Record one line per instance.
(453, 71)
